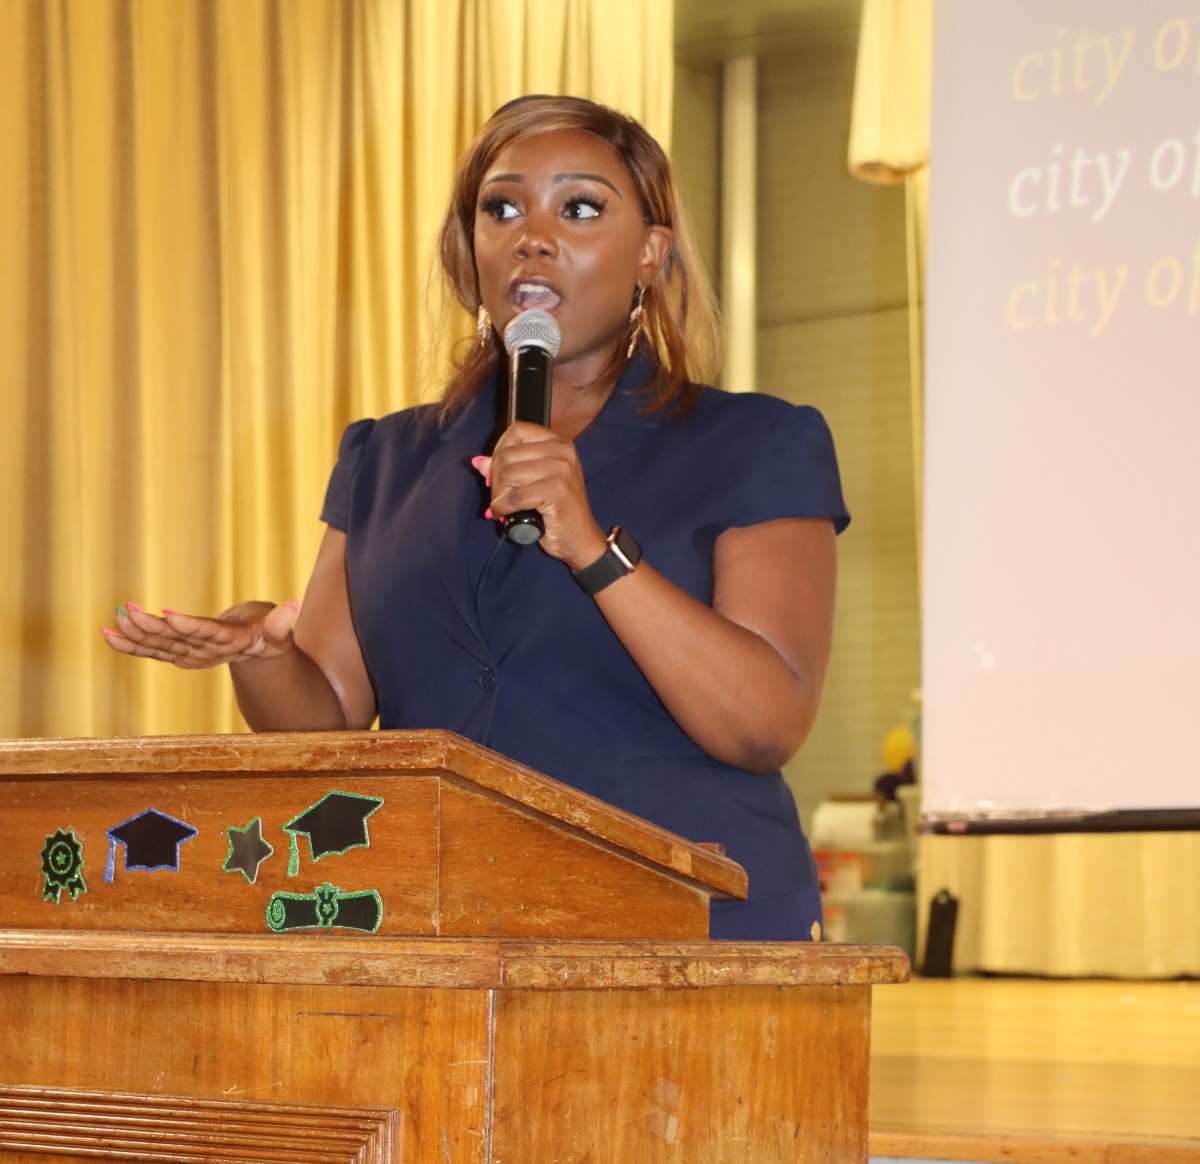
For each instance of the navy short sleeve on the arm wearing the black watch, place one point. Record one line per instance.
(790, 469)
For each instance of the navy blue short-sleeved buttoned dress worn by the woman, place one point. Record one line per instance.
(466, 632)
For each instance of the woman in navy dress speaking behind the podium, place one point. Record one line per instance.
(664, 644)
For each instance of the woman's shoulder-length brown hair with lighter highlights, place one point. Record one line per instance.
(680, 310)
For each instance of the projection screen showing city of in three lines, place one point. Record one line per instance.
(1061, 587)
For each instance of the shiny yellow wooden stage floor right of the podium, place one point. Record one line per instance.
(1036, 1071)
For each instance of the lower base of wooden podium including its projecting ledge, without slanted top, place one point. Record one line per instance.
(479, 1052)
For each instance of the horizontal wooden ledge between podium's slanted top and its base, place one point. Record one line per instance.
(319, 959)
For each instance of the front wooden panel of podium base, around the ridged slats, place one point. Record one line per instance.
(419, 1055)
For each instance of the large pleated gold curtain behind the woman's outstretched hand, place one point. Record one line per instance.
(217, 220)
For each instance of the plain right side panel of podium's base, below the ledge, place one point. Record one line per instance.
(736, 1075)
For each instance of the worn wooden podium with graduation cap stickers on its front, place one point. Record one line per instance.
(393, 947)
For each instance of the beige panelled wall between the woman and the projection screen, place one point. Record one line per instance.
(832, 333)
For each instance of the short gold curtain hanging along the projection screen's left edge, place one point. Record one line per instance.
(890, 145)
